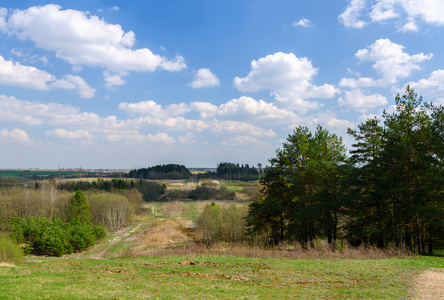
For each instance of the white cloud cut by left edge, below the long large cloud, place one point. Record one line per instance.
(15, 74)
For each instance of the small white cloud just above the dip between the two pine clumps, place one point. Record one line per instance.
(357, 100)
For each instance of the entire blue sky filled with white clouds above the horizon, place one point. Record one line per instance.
(131, 84)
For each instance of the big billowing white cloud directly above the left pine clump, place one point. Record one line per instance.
(288, 77)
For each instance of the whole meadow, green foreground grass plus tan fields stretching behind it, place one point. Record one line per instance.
(156, 258)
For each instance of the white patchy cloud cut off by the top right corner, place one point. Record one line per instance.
(408, 13)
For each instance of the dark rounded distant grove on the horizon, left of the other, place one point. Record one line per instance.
(169, 171)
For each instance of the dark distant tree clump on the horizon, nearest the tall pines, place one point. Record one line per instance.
(231, 171)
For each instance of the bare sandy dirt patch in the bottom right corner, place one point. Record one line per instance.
(430, 285)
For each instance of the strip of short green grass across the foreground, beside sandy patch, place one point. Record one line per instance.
(218, 277)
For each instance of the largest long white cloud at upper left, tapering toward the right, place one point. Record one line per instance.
(83, 39)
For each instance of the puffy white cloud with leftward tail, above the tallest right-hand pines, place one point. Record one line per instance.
(390, 61)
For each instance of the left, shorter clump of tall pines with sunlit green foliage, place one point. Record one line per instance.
(302, 192)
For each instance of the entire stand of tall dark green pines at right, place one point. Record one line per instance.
(390, 192)
